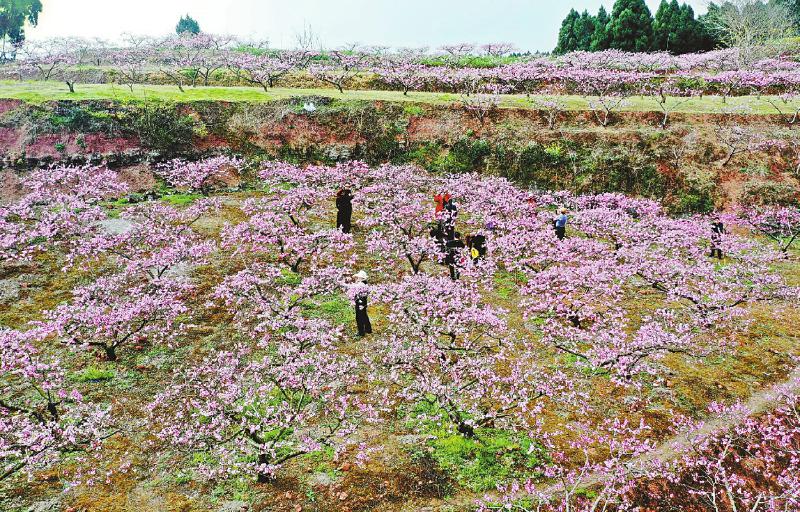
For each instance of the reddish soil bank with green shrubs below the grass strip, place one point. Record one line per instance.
(688, 164)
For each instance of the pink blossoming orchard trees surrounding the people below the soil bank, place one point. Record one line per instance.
(290, 382)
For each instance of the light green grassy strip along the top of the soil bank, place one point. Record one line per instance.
(39, 92)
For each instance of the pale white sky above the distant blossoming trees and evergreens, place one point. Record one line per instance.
(530, 24)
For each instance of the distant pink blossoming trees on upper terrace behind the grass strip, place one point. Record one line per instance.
(195, 60)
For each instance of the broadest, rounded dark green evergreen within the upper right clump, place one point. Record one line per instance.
(631, 26)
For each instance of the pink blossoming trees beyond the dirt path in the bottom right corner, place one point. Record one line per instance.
(748, 462)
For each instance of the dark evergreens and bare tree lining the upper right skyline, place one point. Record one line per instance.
(631, 26)
